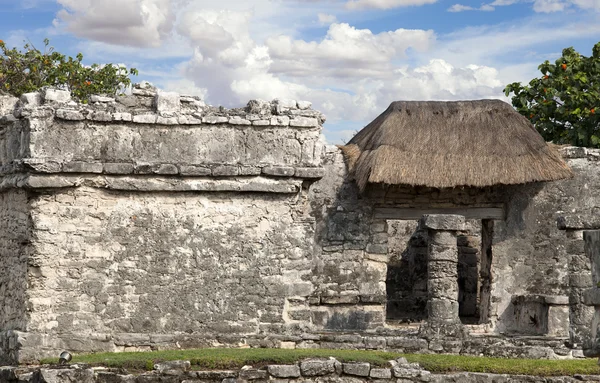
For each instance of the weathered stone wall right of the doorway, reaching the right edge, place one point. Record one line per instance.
(533, 257)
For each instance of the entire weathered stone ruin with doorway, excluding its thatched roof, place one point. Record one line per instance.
(153, 221)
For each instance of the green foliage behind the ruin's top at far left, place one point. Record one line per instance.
(31, 69)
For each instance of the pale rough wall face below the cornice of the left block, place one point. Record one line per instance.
(155, 265)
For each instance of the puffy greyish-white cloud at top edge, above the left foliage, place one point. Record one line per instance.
(143, 23)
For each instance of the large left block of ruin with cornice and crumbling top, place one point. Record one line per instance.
(154, 221)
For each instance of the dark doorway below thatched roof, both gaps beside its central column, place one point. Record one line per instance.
(406, 281)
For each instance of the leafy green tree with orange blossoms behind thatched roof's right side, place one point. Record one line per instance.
(564, 103)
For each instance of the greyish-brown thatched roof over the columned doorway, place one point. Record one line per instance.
(448, 144)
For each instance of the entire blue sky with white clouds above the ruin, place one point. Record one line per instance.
(350, 58)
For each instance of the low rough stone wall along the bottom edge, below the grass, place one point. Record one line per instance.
(309, 370)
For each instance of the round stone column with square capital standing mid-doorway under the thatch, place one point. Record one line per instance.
(442, 267)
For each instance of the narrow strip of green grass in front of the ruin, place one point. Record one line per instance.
(236, 358)
